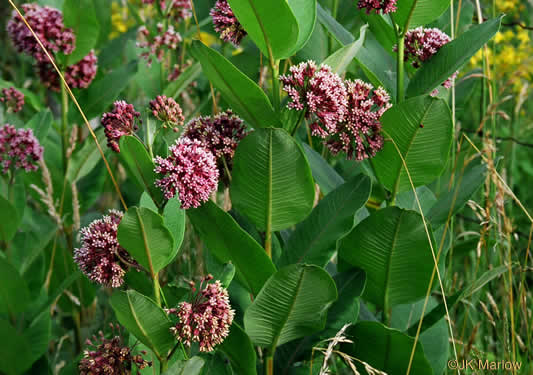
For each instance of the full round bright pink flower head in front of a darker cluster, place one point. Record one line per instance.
(190, 170)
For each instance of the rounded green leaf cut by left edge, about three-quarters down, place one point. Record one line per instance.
(14, 293)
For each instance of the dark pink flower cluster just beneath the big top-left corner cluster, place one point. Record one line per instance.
(79, 75)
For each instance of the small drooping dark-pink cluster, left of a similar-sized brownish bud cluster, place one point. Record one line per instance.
(119, 122)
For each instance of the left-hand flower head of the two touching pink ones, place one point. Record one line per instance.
(318, 92)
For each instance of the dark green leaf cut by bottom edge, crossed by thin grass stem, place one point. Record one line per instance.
(385, 349)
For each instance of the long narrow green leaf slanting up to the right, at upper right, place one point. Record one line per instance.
(451, 57)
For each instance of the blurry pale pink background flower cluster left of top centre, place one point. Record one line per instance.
(165, 40)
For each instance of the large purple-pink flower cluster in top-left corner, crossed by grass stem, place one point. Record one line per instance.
(47, 23)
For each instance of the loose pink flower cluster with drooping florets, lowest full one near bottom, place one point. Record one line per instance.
(206, 319)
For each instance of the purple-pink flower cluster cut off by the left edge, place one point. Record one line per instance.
(19, 149)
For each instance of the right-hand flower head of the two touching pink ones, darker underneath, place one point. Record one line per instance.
(359, 135)
